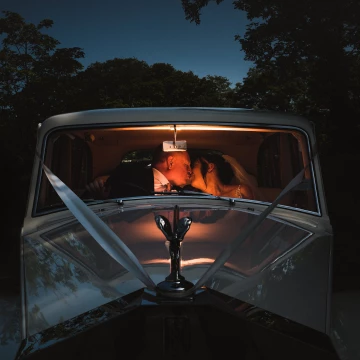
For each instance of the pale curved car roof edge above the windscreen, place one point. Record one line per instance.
(177, 115)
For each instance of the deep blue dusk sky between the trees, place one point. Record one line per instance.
(152, 31)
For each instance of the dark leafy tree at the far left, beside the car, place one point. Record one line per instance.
(35, 75)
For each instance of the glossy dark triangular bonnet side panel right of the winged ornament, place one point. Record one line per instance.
(295, 286)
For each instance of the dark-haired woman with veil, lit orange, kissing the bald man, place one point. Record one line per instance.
(213, 174)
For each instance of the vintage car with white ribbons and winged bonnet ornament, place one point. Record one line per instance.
(182, 273)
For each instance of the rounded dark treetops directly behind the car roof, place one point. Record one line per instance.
(133, 83)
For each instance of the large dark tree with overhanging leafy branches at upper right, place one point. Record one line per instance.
(307, 41)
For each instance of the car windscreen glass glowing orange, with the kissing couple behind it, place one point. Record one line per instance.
(263, 160)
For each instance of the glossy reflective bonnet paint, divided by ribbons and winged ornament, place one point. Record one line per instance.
(67, 272)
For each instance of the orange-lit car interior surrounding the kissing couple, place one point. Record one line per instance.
(271, 156)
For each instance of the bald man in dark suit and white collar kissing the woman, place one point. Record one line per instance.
(167, 169)
